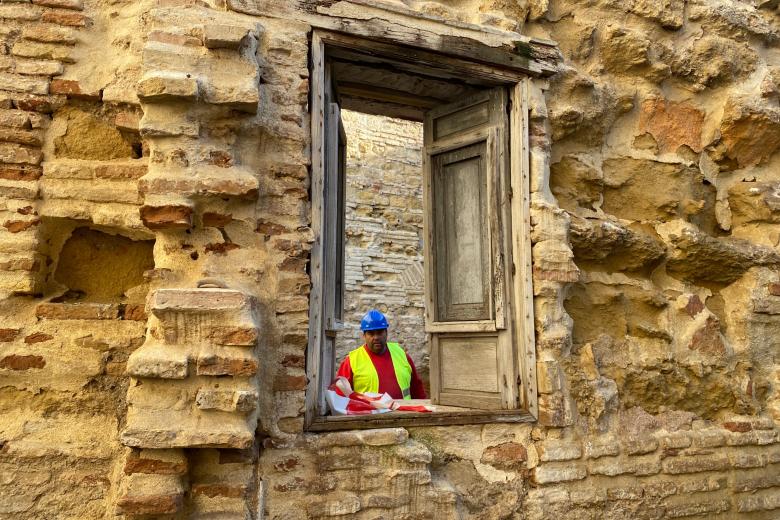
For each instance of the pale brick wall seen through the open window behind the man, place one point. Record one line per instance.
(384, 232)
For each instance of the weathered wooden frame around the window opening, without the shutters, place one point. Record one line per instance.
(517, 85)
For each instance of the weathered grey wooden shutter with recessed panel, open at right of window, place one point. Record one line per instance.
(473, 358)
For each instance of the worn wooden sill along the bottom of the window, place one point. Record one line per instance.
(442, 416)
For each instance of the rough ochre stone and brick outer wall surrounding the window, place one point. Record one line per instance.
(182, 127)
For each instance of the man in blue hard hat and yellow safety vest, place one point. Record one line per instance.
(379, 366)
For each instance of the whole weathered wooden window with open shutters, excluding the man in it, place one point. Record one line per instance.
(447, 282)
